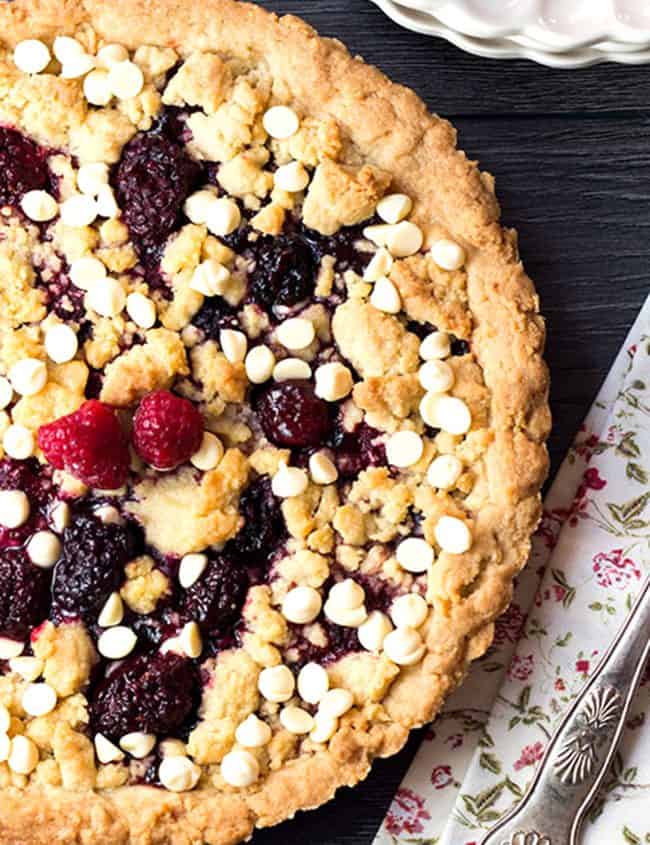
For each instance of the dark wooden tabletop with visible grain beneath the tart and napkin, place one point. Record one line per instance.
(571, 154)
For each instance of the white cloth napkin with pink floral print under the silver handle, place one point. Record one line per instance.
(590, 556)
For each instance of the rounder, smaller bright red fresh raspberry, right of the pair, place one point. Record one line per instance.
(167, 430)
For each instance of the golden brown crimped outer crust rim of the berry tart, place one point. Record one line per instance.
(388, 127)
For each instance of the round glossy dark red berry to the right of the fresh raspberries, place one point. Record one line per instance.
(292, 415)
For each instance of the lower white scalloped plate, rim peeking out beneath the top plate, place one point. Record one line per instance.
(515, 47)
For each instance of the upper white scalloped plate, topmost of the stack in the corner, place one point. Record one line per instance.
(564, 24)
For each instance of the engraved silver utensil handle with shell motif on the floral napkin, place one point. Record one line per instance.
(579, 753)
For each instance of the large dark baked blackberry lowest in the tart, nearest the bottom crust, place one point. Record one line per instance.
(153, 693)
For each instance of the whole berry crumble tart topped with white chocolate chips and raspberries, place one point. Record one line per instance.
(273, 424)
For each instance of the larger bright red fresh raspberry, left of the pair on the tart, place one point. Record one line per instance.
(89, 444)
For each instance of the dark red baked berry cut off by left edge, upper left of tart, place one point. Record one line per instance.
(23, 167)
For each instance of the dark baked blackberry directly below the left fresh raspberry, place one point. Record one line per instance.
(91, 567)
